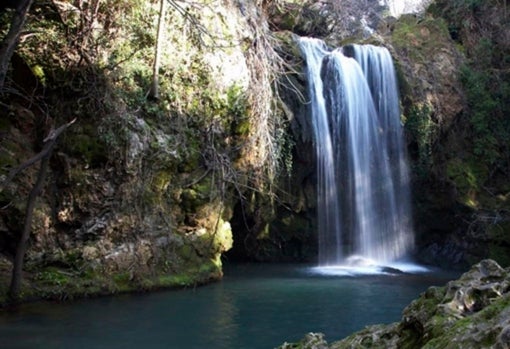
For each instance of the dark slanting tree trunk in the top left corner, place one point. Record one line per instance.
(11, 40)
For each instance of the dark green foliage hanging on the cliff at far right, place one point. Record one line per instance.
(478, 26)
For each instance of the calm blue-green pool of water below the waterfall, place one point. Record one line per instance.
(255, 306)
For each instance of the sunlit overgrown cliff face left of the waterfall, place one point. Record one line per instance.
(141, 191)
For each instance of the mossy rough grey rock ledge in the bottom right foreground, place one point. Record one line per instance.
(471, 312)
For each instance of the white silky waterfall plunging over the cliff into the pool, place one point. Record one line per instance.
(363, 181)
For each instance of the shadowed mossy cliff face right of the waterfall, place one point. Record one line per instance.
(453, 109)
